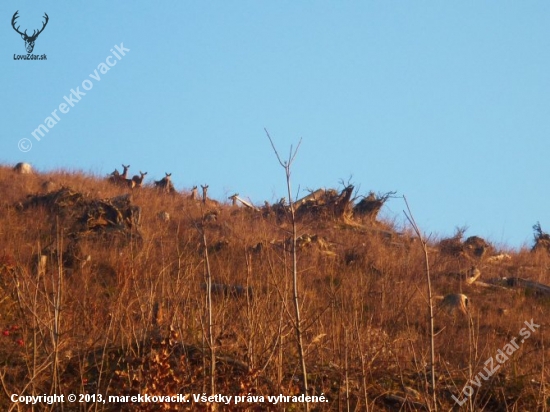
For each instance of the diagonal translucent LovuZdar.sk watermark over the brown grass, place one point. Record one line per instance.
(501, 357)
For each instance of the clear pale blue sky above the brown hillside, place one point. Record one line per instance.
(445, 102)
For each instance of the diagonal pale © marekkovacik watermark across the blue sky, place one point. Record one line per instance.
(74, 97)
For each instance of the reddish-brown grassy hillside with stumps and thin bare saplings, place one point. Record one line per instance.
(103, 291)
